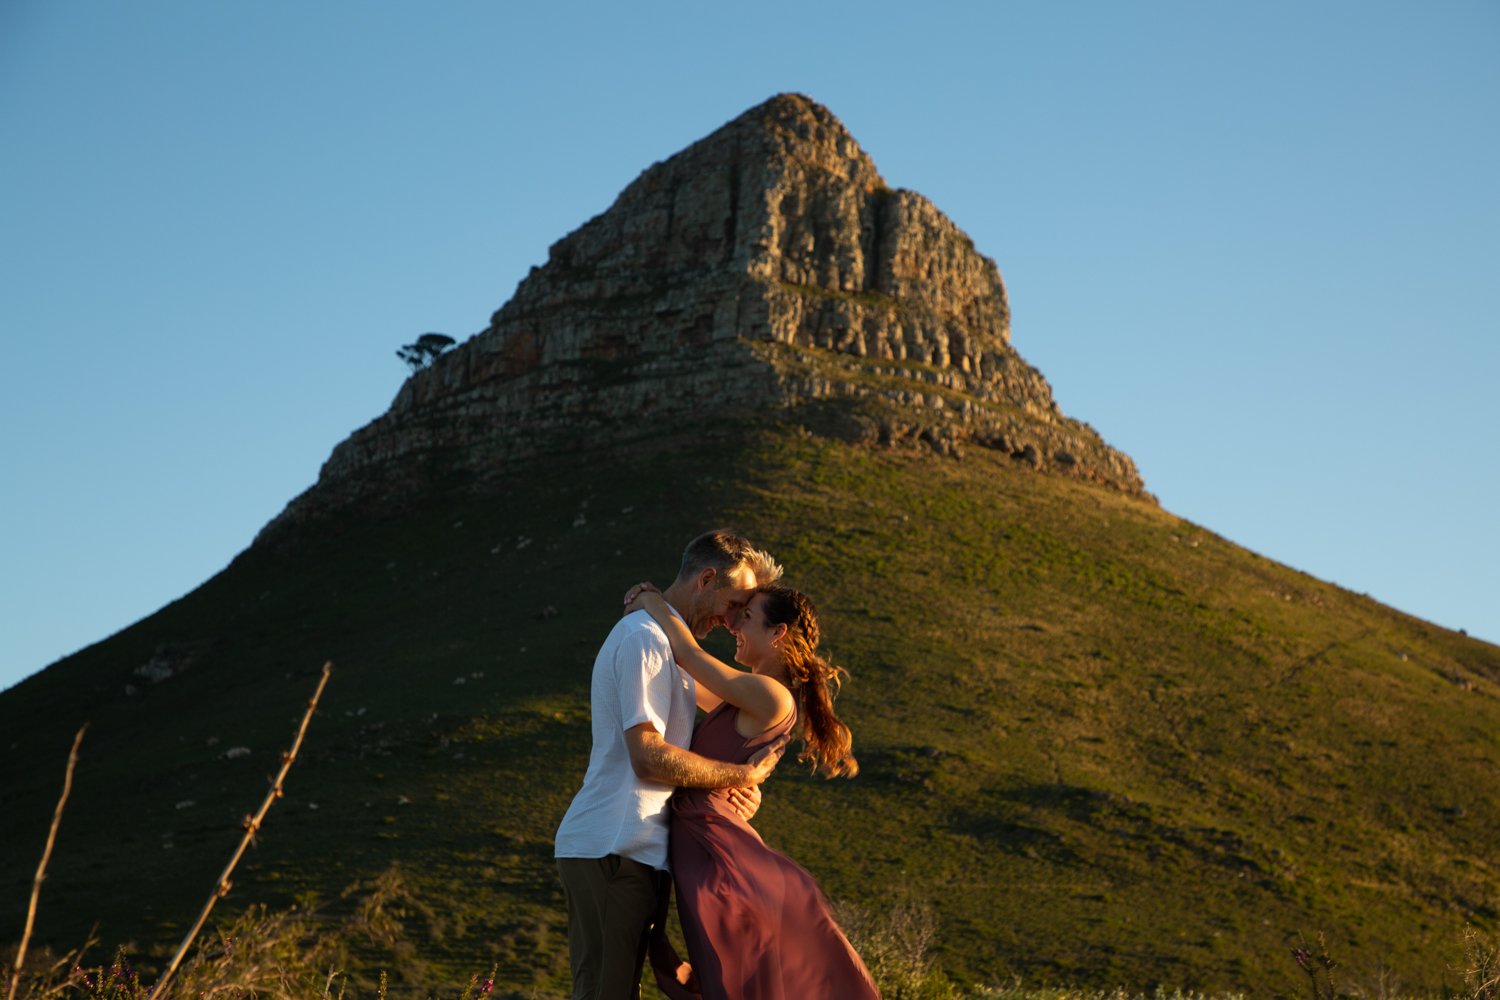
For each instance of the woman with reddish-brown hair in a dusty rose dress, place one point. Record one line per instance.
(757, 924)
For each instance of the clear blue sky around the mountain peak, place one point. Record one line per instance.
(1255, 245)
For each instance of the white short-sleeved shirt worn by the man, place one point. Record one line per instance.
(635, 681)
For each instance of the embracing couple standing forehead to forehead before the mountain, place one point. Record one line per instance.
(661, 797)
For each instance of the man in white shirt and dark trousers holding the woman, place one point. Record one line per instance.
(613, 843)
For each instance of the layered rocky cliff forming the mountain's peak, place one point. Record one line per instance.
(761, 272)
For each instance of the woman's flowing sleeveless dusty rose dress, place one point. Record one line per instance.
(757, 924)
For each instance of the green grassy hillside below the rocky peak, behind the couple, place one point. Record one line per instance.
(1103, 744)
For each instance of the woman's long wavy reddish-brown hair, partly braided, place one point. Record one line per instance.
(814, 681)
